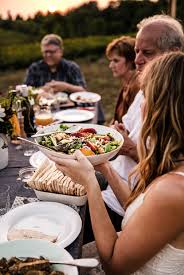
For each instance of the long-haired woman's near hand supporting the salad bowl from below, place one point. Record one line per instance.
(80, 170)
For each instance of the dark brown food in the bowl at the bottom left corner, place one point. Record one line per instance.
(29, 266)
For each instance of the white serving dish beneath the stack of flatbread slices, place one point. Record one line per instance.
(66, 199)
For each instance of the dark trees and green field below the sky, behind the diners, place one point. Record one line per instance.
(19, 43)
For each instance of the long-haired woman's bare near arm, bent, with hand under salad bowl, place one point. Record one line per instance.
(158, 221)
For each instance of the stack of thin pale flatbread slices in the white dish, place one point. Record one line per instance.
(48, 178)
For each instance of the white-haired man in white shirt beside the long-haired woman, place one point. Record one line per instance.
(156, 35)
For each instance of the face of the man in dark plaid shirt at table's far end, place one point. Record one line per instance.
(51, 54)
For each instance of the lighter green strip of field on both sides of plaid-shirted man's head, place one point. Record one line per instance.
(22, 55)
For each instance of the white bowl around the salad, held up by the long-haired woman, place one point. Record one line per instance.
(96, 159)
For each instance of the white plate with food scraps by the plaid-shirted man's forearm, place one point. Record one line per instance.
(85, 97)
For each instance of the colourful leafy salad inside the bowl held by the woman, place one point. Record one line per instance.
(86, 139)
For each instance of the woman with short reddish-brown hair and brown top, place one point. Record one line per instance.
(121, 55)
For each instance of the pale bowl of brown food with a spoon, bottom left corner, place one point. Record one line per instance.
(26, 256)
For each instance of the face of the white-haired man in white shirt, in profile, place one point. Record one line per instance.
(146, 47)
